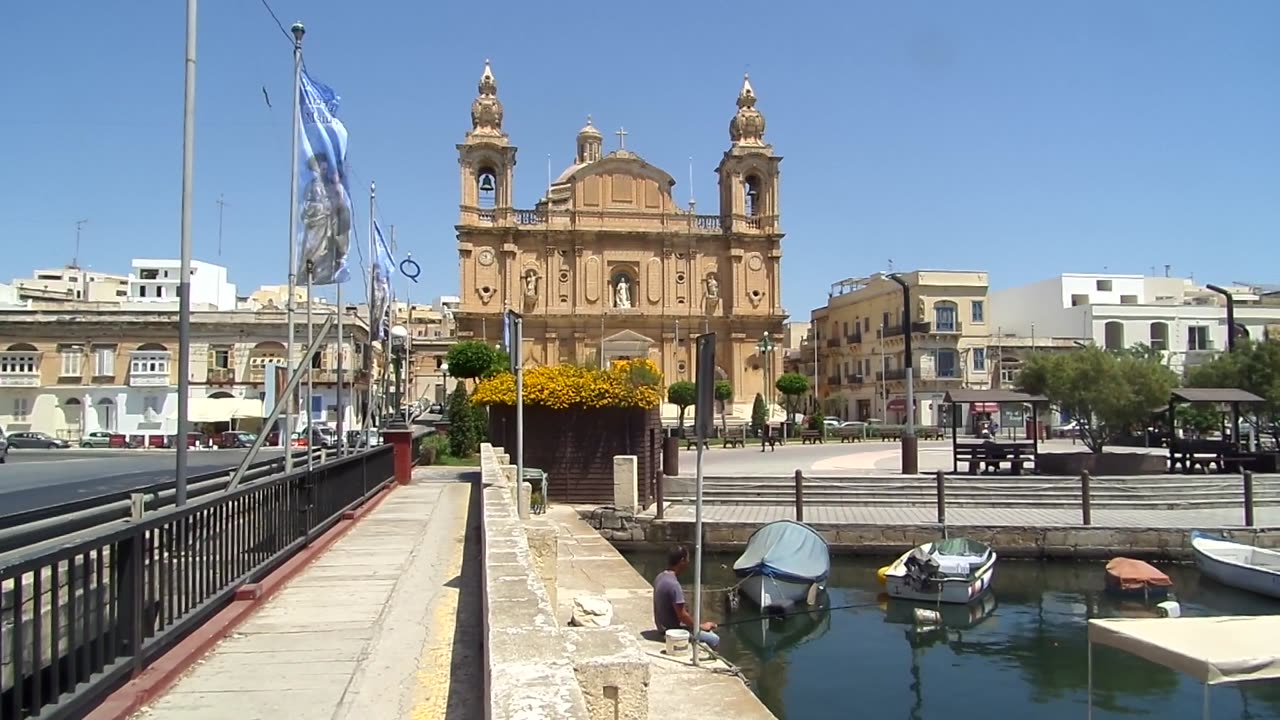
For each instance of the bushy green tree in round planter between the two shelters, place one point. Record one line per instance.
(1105, 394)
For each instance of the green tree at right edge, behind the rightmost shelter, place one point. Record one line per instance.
(1254, 367)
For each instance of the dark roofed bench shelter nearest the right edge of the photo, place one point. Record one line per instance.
(1228, 455)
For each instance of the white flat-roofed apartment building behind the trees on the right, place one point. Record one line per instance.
(1176, 316)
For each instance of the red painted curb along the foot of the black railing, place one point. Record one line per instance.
(162, 675)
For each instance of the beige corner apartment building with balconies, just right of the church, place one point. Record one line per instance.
(861, 345)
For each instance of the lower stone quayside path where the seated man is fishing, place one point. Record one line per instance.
(587, 564)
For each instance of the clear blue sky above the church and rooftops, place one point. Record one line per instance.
(1025, 139)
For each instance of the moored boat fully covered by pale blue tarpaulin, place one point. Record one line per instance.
(785, 564)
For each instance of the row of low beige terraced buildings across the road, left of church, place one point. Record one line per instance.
(75, 371)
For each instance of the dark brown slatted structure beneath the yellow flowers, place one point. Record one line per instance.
(577, 449)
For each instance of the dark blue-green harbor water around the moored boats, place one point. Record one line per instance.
(1021, 654)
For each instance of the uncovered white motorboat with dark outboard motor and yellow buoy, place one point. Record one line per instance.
(957, 571)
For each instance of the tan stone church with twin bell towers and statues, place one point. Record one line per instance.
(609, 266)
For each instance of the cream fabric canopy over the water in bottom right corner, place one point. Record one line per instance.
(1212, 650)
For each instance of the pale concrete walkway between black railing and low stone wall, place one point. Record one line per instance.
(383, 626)
